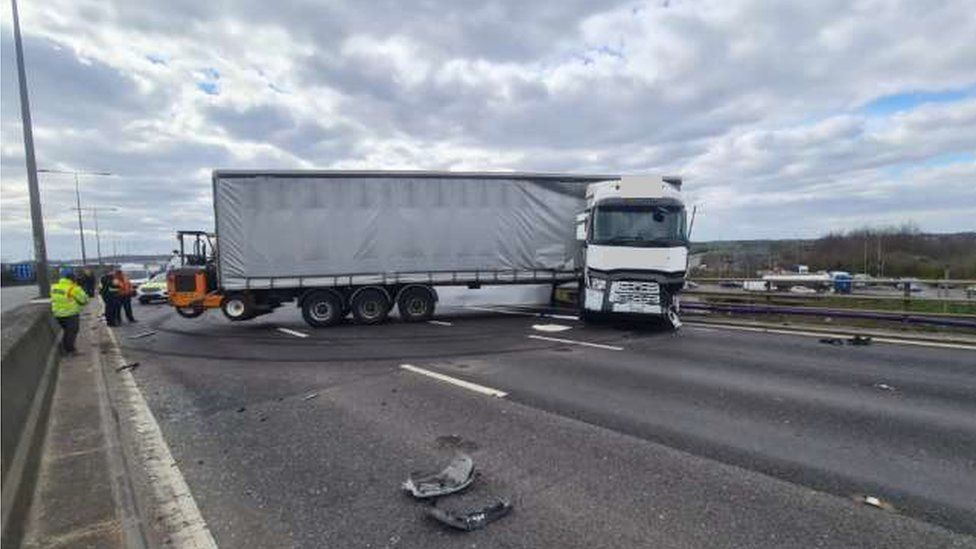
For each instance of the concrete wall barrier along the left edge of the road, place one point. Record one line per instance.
(30, 341)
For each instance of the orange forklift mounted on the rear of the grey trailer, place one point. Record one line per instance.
(193, 285)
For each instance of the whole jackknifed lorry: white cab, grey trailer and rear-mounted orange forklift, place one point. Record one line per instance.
(363, 242)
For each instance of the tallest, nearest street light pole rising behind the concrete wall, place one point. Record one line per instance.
(37, 218)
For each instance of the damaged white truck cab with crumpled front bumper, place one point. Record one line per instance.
(635, 248)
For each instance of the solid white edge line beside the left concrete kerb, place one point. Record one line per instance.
(180, 515)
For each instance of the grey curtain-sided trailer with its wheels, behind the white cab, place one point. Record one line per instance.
(362, 242)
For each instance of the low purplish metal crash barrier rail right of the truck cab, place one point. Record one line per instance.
(909, 318)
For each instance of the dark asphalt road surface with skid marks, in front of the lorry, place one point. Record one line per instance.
(705, 438)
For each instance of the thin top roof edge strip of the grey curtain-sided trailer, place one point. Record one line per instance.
(582, 178)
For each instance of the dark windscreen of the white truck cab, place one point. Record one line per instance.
(645, 225)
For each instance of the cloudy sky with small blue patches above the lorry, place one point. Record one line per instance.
(785, 118)
